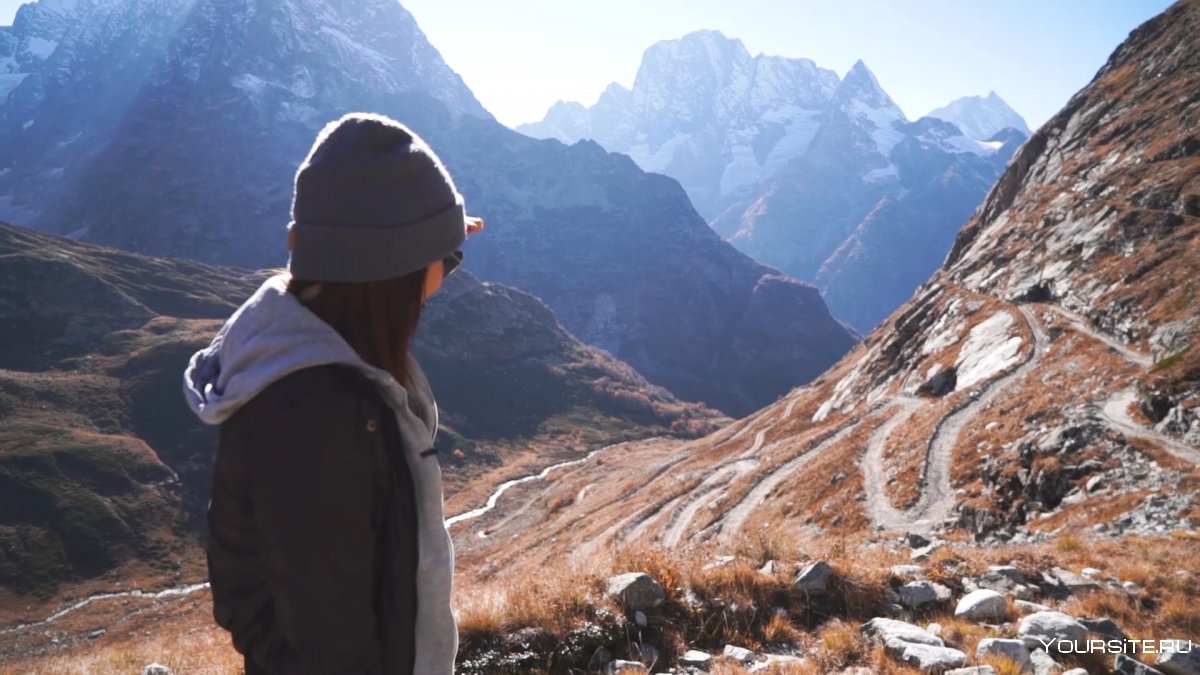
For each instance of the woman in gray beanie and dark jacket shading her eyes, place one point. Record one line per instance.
(327, 547)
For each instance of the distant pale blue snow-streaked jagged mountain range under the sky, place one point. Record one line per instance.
(820, 177)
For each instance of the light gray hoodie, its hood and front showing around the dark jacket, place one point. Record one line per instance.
(273, 336)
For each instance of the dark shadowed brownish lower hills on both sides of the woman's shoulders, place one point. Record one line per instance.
(103, 465)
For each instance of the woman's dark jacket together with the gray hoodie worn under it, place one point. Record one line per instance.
(326, 477)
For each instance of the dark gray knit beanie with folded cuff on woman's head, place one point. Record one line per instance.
(373, 202)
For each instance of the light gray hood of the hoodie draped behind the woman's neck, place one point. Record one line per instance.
(271, 337)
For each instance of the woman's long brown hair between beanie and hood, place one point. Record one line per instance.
(377, 319)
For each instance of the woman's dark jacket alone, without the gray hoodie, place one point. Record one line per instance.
(313, 529)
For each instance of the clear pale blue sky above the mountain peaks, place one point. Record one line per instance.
(519, 57)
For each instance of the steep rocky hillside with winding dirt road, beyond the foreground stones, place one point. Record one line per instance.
(1042, 383)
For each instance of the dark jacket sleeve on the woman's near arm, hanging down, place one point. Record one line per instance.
(311, 489)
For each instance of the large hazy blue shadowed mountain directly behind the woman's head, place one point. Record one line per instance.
(190, 152)
